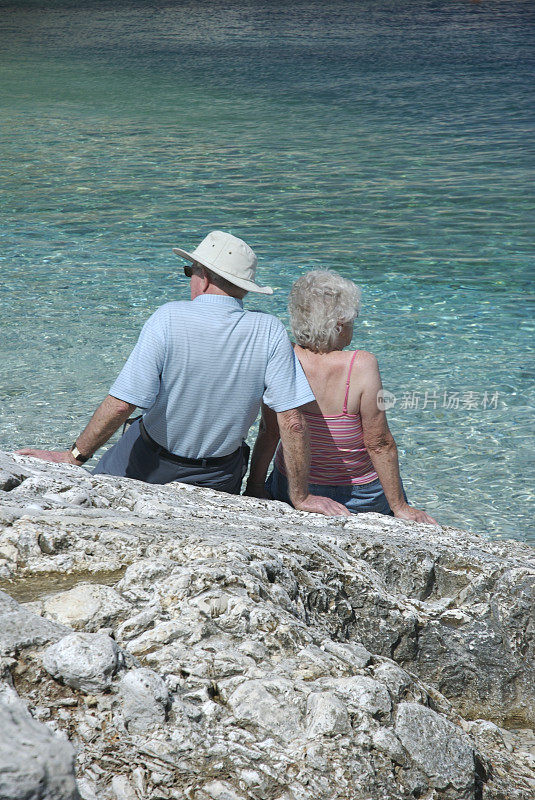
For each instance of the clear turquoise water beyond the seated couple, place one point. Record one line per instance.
(391, 141)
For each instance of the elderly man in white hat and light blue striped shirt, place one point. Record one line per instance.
(200, 370)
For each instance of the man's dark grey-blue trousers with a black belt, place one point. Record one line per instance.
(132, 457)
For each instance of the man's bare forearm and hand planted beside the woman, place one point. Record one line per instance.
(294, 436)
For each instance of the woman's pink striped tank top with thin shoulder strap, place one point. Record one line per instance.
(337, 452)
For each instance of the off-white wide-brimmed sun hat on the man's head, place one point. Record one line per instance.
(229, 257)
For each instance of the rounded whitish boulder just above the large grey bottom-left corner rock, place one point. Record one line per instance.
(86, 661)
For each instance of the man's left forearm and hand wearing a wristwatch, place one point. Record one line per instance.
(110, 414)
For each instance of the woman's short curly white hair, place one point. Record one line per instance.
(321, 302)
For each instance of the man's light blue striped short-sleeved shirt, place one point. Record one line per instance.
(200, 369)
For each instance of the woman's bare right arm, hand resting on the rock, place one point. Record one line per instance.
(381, 446)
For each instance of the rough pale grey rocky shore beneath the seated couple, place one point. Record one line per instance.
(171, 642)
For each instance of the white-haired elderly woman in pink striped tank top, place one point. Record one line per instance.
(353, 455)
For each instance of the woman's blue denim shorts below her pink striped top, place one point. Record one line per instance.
(357, 498)
